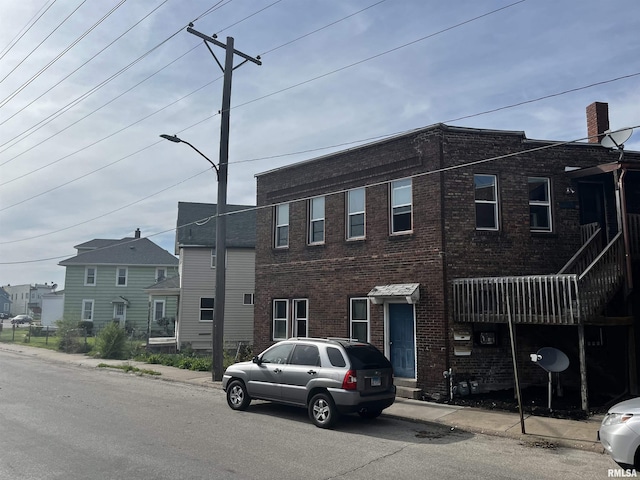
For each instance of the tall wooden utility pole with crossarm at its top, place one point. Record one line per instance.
(217, 341)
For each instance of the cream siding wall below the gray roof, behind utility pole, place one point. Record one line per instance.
(198, 280)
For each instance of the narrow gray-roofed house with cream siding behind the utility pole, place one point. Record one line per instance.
(195, 245)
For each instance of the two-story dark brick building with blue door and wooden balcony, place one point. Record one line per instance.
(386, 242)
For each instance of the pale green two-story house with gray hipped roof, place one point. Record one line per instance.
(107, 279)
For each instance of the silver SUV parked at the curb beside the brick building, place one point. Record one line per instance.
(329, 377)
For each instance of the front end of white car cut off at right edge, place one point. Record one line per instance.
(620, 433)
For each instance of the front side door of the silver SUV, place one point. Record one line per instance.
(266, 375)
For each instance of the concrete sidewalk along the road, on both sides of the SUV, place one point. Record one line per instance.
(547, 432)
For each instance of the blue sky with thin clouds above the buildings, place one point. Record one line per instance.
(87, 87)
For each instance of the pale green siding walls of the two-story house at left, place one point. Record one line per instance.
(105, 290)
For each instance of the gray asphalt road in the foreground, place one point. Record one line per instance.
(67, 422)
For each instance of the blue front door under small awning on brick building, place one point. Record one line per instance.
(401, 340)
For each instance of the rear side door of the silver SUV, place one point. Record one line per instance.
(303, 367)
